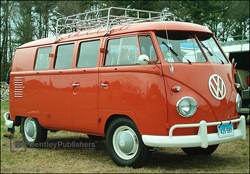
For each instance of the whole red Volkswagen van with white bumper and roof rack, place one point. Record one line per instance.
(139, 82)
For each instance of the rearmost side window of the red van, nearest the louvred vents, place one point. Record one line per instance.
(42, 58)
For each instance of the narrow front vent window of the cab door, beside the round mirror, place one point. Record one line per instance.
(147, 47)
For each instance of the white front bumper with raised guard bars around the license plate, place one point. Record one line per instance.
(202, 139)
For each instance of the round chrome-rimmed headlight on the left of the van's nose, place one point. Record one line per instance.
(186, 106)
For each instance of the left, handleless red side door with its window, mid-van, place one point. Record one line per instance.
(61, 88)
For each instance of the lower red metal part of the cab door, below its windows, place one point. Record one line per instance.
(140, 91)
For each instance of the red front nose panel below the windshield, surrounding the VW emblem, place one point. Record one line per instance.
(194, 83)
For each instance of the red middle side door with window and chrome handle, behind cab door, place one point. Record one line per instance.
(85, 87)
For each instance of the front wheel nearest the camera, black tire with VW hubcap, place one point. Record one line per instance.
(124, 144)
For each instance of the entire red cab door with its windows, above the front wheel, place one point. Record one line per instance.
(128, 88)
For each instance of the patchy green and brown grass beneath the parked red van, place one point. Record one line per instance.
(93, 156)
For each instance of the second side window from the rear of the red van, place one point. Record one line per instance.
(64, 56)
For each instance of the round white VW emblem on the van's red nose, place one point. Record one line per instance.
(217, 86)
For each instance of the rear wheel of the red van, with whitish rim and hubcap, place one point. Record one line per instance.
(32, 131)
